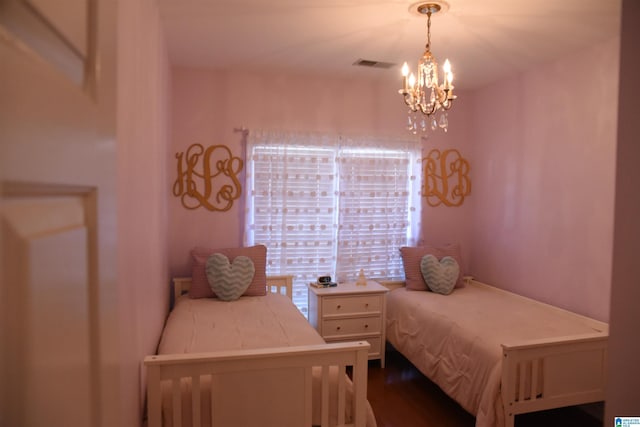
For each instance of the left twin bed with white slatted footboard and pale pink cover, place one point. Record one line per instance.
(253, 361)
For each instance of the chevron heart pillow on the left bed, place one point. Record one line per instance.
(229, 280)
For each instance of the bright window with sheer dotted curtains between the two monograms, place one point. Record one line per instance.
(328, 205)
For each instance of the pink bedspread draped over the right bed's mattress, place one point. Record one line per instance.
(455, 339)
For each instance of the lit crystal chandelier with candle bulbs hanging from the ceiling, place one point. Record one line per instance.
(427, 100)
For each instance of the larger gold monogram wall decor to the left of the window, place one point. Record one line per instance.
(208, 177)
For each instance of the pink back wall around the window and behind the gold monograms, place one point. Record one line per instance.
(207, 105)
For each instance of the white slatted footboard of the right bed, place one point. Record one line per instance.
(546, 374)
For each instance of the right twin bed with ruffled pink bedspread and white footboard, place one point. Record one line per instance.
(499, 354)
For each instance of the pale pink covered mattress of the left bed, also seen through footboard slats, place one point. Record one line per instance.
(209, 324)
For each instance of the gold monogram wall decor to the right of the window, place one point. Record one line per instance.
(446, 178)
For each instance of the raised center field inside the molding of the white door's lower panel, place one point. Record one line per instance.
(59, 364)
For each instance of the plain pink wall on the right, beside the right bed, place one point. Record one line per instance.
(544, 152)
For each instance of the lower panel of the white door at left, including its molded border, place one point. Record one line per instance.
(51, 312)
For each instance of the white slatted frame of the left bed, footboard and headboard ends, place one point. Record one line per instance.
(296, 362)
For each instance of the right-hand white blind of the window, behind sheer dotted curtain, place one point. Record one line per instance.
(374, 211)
